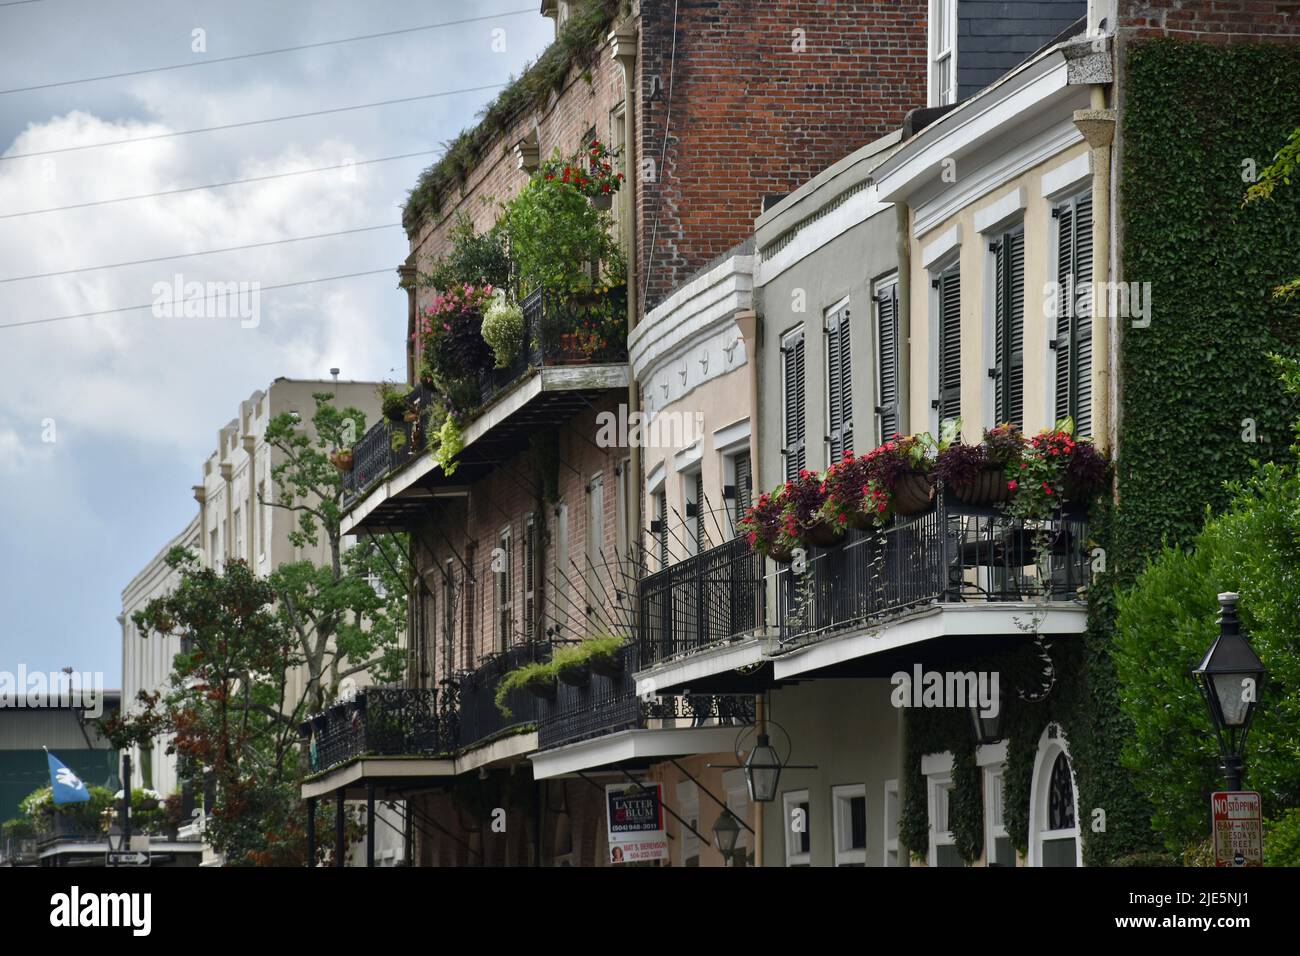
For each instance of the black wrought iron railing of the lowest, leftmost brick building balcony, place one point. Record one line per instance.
(380, 721)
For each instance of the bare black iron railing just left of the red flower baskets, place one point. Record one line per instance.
(705, 600)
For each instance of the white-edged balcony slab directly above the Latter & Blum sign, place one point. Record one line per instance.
(632, 750)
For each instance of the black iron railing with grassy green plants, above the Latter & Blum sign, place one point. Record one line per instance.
(609, 706)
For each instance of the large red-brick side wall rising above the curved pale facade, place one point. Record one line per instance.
(759, 109)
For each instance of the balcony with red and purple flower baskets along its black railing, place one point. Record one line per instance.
(930, 533)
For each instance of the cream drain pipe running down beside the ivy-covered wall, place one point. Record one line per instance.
(1098, 127)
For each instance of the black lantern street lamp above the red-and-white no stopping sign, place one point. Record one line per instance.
(1230, 680)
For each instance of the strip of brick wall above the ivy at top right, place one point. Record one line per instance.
(1212, 21)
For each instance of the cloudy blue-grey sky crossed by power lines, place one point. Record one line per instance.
(106, 421)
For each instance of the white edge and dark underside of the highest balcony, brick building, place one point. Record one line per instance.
(549, 400)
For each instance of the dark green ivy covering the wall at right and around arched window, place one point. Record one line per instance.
(1195, 122)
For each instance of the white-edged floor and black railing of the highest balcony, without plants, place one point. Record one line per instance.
(551, 382)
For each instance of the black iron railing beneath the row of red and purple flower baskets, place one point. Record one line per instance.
(955, 553)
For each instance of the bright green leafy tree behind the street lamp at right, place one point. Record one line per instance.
(1168, 621)
